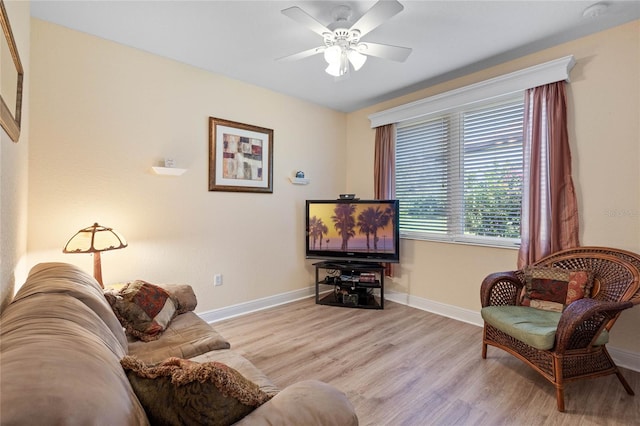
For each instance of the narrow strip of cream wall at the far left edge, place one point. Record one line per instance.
(14, 170)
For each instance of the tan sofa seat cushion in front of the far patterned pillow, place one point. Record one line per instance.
(187, 336)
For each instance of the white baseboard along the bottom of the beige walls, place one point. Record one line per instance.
(626, 359)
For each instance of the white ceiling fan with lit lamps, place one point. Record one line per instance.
(343, 43)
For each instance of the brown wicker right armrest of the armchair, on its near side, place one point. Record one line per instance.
(583, 320)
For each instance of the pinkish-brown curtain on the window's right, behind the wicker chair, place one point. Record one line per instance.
(549, 220)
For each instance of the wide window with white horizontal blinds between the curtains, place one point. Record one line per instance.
(459, 174)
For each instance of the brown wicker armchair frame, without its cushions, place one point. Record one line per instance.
(574, 354)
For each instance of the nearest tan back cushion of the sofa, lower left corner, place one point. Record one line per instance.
(60, 365)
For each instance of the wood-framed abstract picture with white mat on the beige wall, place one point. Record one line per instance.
(240, 157)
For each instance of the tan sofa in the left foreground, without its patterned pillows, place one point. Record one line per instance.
(61, 347)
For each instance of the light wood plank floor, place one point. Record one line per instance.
(404, 366)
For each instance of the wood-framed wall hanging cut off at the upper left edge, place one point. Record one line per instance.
(10, 81)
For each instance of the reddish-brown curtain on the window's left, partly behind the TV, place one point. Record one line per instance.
(384, 169)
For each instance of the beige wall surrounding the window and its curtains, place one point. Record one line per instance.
(604, 132)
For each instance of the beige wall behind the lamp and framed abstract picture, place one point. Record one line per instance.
(103, 114)
